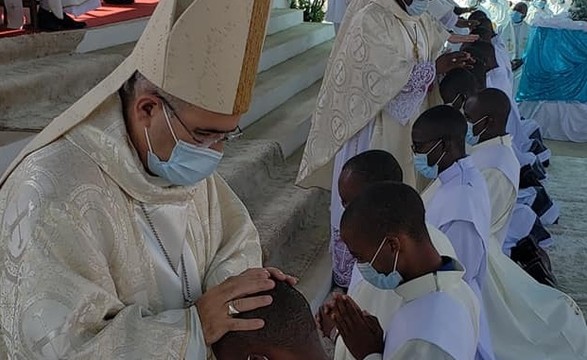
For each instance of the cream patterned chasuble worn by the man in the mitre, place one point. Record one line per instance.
(76, 277)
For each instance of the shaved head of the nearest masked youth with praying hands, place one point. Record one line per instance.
(388, 219)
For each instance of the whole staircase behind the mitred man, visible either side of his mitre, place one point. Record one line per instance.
(41, 75)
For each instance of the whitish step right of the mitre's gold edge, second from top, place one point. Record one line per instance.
(287, 44)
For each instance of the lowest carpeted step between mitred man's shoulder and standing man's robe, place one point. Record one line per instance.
(293, 223)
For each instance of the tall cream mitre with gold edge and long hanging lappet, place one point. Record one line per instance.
(204, 52)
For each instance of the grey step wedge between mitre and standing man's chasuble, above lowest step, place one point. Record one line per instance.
(289, 124)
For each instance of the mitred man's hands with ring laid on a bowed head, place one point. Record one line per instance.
(215, 305)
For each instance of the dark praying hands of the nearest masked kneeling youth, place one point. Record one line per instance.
(360, 331)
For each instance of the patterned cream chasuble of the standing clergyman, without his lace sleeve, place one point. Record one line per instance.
(370, 64)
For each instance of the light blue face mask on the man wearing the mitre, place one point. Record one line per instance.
(187, 165)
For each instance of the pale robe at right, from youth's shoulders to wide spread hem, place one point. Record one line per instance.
(527, 320)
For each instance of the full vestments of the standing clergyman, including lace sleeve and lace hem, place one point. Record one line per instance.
(374, 48)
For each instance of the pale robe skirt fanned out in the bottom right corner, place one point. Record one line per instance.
(529, 320)
